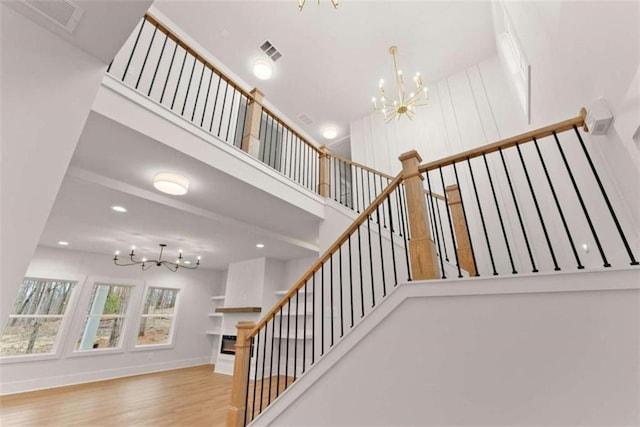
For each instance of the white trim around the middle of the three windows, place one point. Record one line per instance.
(81, 313)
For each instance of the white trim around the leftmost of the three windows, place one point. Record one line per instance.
(65, 325)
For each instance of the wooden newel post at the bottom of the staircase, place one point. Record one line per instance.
(237, 408)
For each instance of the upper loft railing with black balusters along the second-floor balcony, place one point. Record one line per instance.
(157, 63)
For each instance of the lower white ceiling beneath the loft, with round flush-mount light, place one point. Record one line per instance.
(221, 218)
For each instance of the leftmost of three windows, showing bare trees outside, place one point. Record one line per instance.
(36, 318)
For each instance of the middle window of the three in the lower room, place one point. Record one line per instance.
(105, 318)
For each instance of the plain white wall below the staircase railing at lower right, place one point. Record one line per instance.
(555, 350)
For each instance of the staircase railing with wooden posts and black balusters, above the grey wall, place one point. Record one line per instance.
(518, 205)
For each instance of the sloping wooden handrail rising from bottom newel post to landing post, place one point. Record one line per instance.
(329, 252)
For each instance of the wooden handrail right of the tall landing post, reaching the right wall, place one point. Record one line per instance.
(506, 143)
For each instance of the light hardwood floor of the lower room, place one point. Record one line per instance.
(184, 397)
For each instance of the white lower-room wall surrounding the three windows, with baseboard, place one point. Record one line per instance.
(191, 345)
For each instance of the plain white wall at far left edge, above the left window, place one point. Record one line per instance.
(47, 90)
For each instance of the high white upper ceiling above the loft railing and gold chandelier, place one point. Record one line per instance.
(333, 59)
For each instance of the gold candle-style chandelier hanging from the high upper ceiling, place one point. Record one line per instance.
(406, 104)
